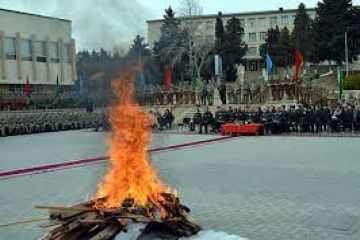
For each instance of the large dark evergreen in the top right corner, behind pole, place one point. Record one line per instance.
(333, 19)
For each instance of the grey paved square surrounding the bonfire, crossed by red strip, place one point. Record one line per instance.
(261, 188)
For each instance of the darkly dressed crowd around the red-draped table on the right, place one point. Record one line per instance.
(277, 120)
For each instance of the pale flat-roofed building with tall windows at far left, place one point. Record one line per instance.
(36, 47)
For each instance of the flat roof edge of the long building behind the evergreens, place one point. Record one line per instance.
(236, 14)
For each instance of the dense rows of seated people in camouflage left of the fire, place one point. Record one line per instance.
(18, 123)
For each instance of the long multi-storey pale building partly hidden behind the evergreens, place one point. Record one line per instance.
(255, 24)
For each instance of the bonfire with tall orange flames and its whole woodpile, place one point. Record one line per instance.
(131, 194)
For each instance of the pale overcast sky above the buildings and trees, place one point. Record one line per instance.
(114, 23)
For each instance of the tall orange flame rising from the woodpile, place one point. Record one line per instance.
(131, 174)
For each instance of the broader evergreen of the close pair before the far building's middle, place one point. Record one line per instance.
(234, 48)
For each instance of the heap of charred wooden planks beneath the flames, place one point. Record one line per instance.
(87, 221)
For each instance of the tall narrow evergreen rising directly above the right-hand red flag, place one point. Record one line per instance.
(301, 34)
